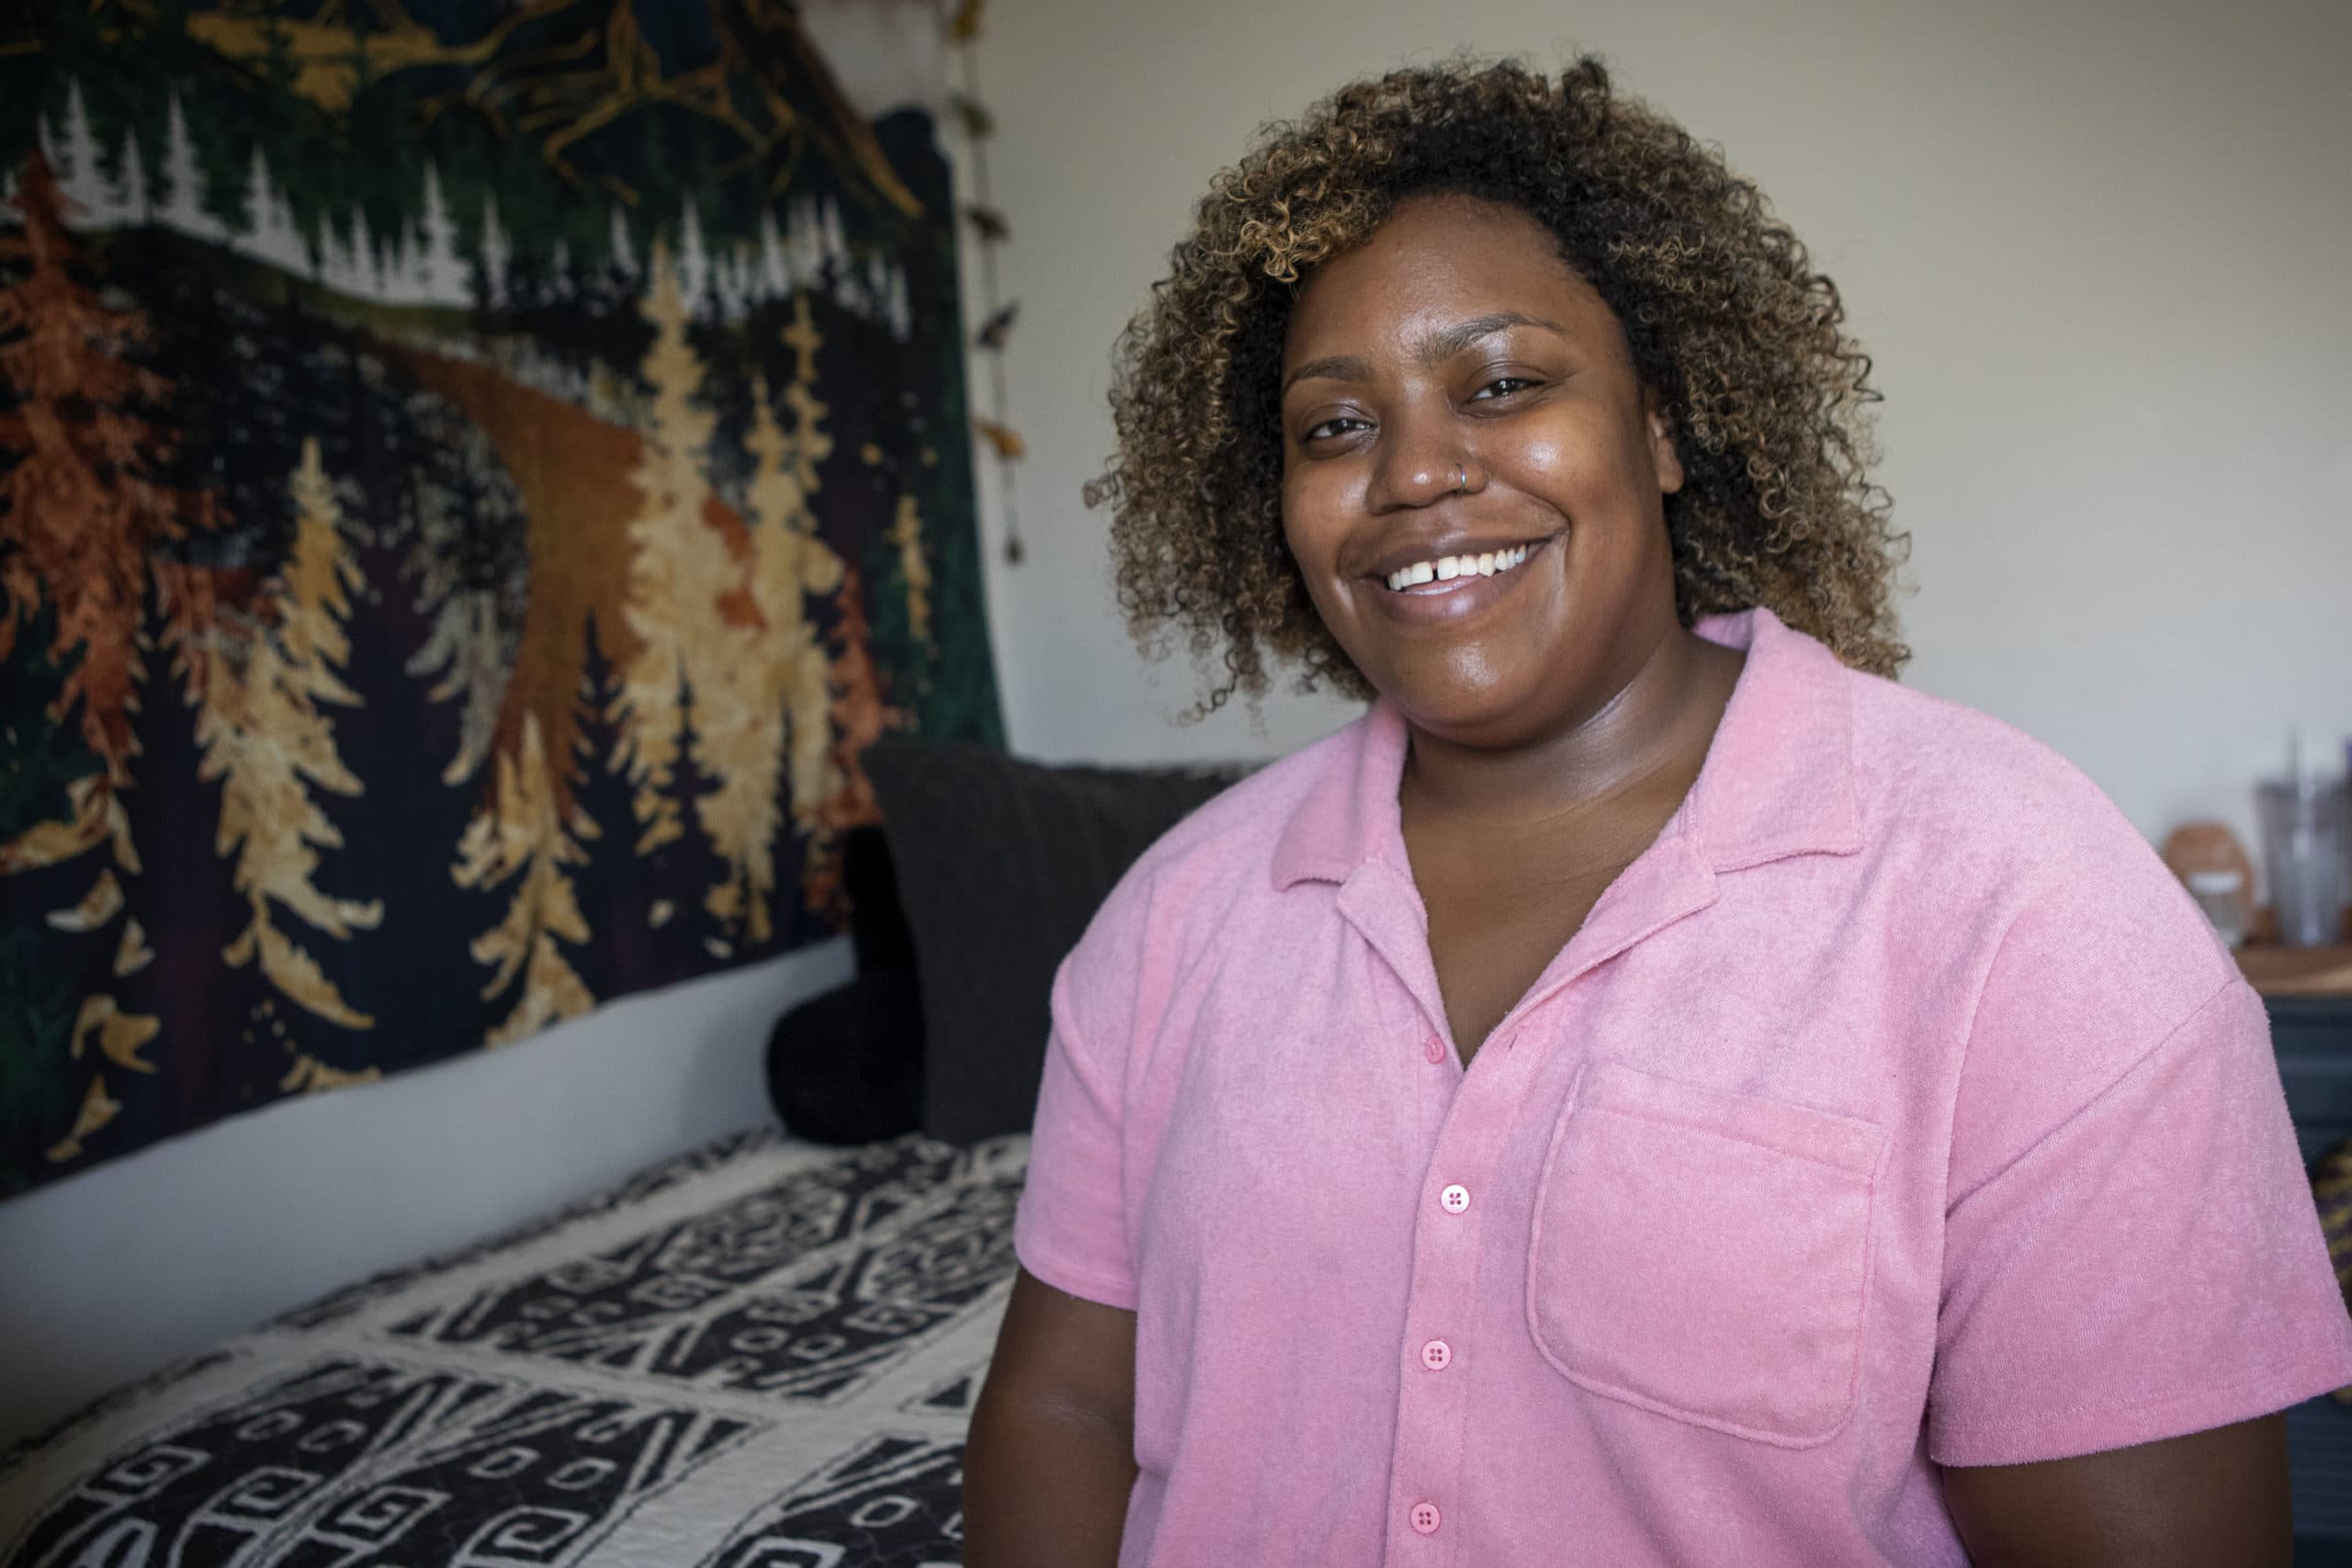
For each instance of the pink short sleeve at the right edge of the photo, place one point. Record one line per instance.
(2132, 1249)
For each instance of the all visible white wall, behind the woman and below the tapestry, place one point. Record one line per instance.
(2097, 250)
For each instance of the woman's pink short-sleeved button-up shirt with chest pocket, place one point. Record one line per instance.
(1892, 1111)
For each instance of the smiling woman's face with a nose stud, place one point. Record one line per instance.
(1457, 344)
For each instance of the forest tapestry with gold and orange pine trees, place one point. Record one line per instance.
(474, 478)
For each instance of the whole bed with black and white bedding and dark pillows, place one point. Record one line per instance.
(756, 1355)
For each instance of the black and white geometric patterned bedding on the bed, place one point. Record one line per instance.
(759, 1355)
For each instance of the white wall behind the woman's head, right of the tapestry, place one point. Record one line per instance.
(2097, 250)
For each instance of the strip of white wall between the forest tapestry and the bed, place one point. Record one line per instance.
(154, 1257)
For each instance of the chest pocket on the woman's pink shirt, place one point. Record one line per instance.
(1706, 1254)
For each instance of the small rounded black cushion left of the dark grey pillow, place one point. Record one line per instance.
(848, 1066)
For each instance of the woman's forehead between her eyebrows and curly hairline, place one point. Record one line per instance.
(1438, 260)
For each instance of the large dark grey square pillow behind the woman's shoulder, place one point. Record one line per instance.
(1001, 866)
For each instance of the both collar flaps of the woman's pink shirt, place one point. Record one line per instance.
(1779, 777)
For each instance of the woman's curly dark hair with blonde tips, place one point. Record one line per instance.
(1730, 328)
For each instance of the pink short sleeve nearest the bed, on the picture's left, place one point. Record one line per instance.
(1071, 1228)
